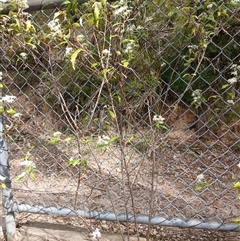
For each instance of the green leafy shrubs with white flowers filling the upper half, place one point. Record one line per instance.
(131, 57)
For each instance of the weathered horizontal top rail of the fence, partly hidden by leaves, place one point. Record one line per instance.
(36, 5)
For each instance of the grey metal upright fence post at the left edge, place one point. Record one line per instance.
(6, 192)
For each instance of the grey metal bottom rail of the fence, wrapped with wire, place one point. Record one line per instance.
(142, 219)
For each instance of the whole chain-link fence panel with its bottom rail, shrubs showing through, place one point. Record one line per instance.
(125, 111)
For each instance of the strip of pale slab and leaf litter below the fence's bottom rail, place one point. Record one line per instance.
(65, 229)
